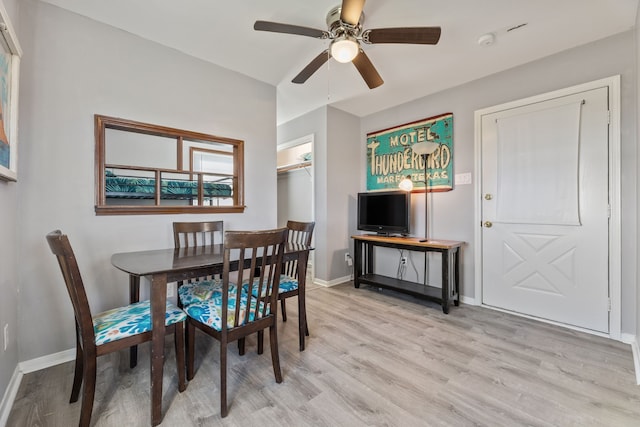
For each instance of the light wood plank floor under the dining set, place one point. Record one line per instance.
(373, 359)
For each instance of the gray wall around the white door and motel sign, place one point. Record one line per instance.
(452, 213)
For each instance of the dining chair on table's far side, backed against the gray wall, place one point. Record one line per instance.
(191, 235)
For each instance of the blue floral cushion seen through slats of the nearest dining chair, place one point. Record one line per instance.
(209, 312)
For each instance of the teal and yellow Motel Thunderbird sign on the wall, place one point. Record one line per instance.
(391, 158)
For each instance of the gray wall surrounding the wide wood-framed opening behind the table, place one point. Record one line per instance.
(74, 67)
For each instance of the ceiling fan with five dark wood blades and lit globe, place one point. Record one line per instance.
(345, 31)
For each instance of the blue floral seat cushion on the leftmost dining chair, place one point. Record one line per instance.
(134, 319)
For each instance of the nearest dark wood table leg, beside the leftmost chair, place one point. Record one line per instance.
(158, 310)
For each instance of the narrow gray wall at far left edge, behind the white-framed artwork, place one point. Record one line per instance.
(9, 254)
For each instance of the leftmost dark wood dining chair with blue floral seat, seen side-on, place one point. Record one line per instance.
(109, 331)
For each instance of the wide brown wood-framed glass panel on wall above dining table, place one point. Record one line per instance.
(150, 169)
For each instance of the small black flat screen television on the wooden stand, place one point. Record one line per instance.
(385, 212)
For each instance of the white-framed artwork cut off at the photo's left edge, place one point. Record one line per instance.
(10, 54)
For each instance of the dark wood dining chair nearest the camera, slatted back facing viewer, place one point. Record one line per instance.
(234, 313)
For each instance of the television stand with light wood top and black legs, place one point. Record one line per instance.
(449, 250)
